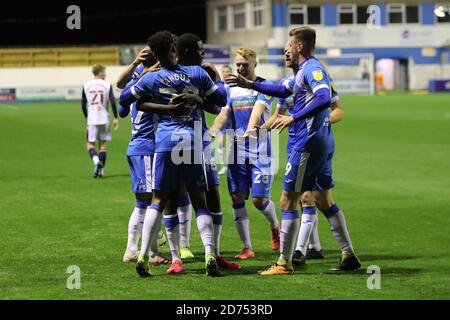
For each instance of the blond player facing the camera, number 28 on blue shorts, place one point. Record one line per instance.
(250, 163)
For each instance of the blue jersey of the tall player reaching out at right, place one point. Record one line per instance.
(311, 77)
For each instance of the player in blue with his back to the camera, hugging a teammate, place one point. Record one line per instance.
(178, 156)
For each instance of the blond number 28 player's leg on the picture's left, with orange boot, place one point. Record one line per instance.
(239, 187)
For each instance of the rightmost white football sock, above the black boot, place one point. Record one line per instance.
(338, 228)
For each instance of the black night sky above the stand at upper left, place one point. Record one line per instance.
(42, 23)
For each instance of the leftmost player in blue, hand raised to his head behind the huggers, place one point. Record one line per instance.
(139, 155)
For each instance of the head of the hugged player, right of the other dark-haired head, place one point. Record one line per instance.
(190, 49)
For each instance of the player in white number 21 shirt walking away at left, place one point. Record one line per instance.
(94, 102)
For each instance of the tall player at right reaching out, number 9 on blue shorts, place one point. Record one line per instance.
(312, 145)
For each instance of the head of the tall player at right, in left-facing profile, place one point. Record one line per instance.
(302, 42)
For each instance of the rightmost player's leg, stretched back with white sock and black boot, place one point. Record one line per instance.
(338, 226)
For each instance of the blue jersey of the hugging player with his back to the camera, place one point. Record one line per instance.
(164, 85)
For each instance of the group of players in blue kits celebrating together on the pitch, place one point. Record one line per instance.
(167, 89)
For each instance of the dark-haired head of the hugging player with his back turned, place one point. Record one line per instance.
(163, 46)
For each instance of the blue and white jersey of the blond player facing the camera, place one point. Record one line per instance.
(241, 102)
